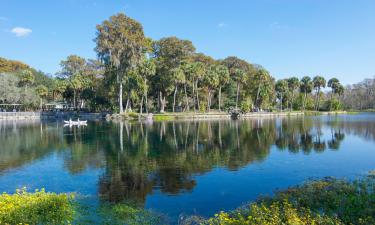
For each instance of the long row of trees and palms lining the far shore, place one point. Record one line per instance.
(134, 73)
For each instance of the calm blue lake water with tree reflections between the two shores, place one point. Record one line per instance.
(184, 168)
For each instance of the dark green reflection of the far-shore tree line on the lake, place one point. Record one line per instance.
(138, 158)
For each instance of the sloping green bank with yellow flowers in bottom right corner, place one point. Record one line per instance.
(327, 201)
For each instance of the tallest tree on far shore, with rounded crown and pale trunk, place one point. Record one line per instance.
(120, 44)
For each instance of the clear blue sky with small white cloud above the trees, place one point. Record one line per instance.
(288, 37)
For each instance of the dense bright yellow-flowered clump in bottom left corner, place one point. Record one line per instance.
(39, 207)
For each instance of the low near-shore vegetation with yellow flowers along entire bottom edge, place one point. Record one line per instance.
(325, 201)
